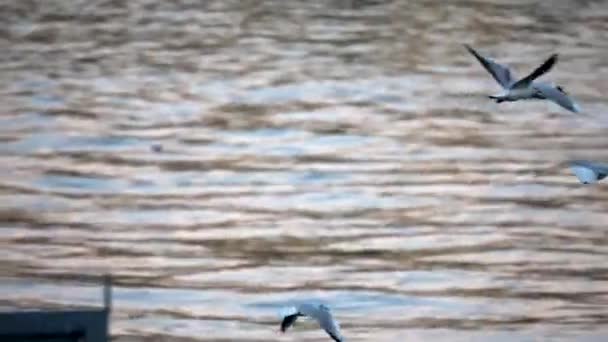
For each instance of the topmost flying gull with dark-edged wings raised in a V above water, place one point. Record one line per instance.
(525, 88)
